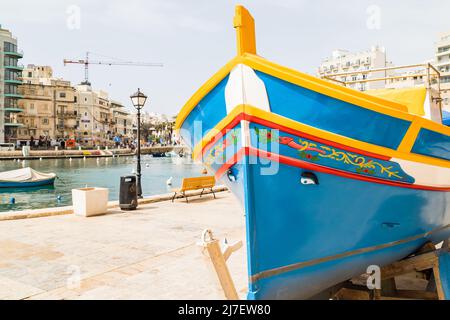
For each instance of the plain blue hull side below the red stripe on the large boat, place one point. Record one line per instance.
(323, 234)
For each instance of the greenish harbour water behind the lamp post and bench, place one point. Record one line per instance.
(98, 172)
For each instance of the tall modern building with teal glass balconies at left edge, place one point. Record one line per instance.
(10, 79)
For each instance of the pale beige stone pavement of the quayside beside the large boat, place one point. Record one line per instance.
(150, 253)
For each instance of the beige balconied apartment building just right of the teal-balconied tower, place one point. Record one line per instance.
(48, 105)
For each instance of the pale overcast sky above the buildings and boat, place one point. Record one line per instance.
(194, 38)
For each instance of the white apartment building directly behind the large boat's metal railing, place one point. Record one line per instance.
(342, 62)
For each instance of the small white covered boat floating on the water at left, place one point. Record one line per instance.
(26, 177)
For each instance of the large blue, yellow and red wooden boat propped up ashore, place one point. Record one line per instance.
(332, 180)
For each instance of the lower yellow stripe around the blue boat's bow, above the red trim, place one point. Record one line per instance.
(286, 122)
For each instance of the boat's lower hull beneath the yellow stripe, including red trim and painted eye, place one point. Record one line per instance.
(303, 239)
